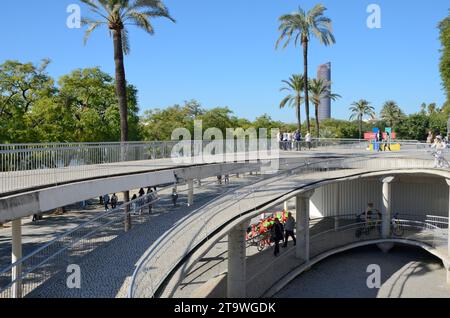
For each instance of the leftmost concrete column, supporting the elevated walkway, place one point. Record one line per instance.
(16, 255)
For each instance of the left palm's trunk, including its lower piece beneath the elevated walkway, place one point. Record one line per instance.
(121, 91)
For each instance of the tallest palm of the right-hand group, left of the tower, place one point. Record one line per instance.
(299, 26)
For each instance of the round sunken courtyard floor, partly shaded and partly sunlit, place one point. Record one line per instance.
(406, 272)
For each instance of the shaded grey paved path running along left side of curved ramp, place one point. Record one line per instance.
(107, 270)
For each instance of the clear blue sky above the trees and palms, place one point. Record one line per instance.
(221, 52)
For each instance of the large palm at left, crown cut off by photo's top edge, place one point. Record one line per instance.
(117, 15)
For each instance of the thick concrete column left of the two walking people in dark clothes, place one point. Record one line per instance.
(236, 279)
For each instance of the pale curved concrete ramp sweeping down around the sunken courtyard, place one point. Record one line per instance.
(209, 225)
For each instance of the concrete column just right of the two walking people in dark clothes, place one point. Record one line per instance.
(302, 228)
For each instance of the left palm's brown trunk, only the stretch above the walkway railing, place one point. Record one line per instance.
(121, 86)
